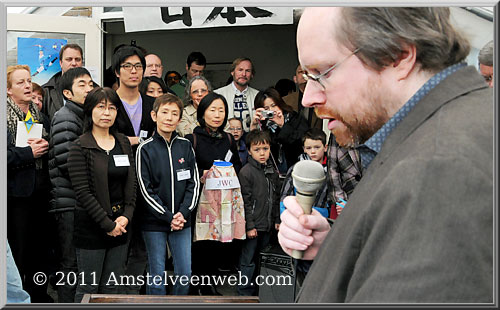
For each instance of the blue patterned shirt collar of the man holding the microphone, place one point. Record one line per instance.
(377, 140)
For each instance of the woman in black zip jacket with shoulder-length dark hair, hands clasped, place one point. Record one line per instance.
(101, 168)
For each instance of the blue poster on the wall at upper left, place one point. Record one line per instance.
(41, 55)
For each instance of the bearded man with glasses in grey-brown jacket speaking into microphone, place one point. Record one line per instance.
(392, 83)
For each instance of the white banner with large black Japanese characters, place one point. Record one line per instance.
(159, 18)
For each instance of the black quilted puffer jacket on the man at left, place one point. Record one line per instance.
(66, 127)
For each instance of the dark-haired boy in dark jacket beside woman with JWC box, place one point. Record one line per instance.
(259, 188)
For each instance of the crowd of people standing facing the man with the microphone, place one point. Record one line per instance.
(120, 168)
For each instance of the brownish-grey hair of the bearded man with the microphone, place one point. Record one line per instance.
(382, 33)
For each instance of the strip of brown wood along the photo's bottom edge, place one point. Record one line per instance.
(148, 299)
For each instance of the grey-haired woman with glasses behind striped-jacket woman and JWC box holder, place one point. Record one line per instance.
(197, 88)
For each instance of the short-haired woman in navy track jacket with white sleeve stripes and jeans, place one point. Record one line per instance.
(168, 180)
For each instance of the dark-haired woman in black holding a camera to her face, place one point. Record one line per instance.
(286, 127)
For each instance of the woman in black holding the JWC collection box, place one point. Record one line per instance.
(210, 143)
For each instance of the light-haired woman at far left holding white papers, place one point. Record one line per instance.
(29, 184)
